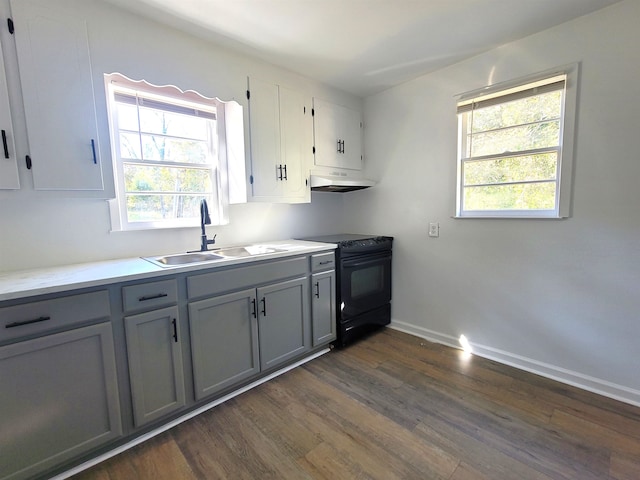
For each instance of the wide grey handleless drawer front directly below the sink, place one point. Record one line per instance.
(224, 281)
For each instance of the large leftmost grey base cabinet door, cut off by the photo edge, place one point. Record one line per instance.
(59, 399)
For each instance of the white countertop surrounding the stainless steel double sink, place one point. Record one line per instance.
(29, 283)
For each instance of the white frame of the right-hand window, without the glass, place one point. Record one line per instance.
(562, 208)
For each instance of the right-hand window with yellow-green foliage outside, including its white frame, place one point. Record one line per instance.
(515, 148)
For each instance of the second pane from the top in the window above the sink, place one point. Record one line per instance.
(167, 149)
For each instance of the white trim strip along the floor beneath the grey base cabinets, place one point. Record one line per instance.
(143, 438)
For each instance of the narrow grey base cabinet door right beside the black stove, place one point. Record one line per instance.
(323, 307)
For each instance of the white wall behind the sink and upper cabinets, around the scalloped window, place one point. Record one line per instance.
(42, 229)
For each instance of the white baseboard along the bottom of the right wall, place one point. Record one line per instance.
(576, 379)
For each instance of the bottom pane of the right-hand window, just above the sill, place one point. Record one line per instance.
(528, 196)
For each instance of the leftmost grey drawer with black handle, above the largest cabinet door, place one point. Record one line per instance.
(34, 318)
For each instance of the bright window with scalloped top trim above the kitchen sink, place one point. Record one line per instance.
(171, 149)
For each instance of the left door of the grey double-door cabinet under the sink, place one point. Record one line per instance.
(224, 341)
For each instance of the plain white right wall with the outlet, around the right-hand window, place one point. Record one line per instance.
(558, 297)
